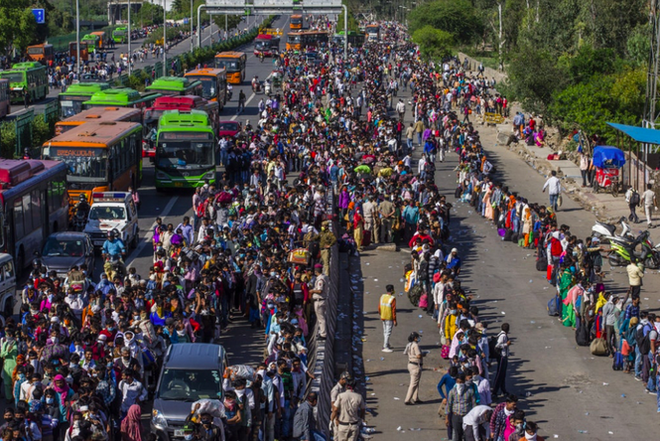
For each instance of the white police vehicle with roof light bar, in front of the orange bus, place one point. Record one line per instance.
(113, 211)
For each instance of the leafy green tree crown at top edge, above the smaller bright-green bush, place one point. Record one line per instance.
(457, 17)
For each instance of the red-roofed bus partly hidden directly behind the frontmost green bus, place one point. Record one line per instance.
(183, 103)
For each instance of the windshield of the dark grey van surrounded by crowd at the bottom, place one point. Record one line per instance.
(189, 385)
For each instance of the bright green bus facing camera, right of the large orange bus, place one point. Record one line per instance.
(185, 150)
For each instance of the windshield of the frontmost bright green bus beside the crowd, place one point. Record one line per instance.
(172, 155)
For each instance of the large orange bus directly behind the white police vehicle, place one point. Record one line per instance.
(99, 156)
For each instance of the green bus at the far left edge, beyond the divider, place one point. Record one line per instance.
(30, 75)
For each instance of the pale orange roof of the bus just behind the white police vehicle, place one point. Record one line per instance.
(94, 134)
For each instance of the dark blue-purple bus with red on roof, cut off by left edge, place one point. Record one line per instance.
(33, 204)
